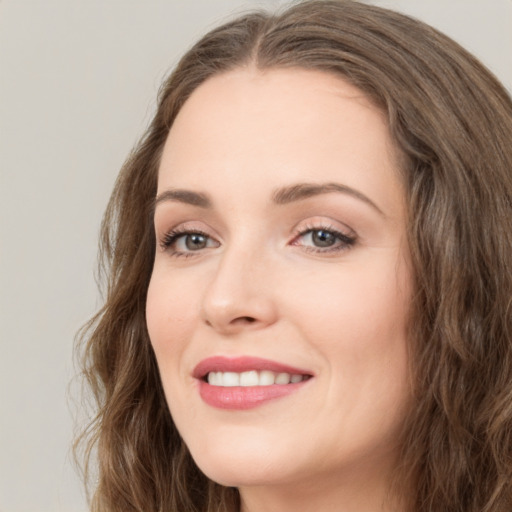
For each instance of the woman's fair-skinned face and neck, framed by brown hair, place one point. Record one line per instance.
(314, 277)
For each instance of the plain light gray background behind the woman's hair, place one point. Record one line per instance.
(77, 86)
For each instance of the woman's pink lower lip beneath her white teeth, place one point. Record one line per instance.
(241, 397)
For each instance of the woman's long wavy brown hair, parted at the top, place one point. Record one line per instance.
(452, 122)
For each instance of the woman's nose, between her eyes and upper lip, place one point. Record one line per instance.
(240, 295)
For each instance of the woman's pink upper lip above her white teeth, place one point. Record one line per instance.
(243, 364)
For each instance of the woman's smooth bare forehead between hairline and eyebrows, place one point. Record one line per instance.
(279, 126)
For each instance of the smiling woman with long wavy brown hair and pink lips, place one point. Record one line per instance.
(308, 263)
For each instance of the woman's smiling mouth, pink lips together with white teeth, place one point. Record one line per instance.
(246, 382)
